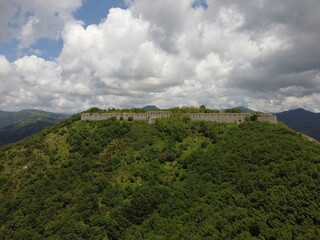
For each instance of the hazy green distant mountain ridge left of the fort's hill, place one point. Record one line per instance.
(15, 126)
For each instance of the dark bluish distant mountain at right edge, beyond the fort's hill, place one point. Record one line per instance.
(303, 121)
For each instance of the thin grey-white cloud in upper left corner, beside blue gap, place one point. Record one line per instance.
(30, 20)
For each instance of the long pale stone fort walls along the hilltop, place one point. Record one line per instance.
(213, 117)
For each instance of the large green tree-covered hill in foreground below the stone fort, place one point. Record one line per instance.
(175, 179)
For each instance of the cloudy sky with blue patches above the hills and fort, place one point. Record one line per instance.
(69, 56)
